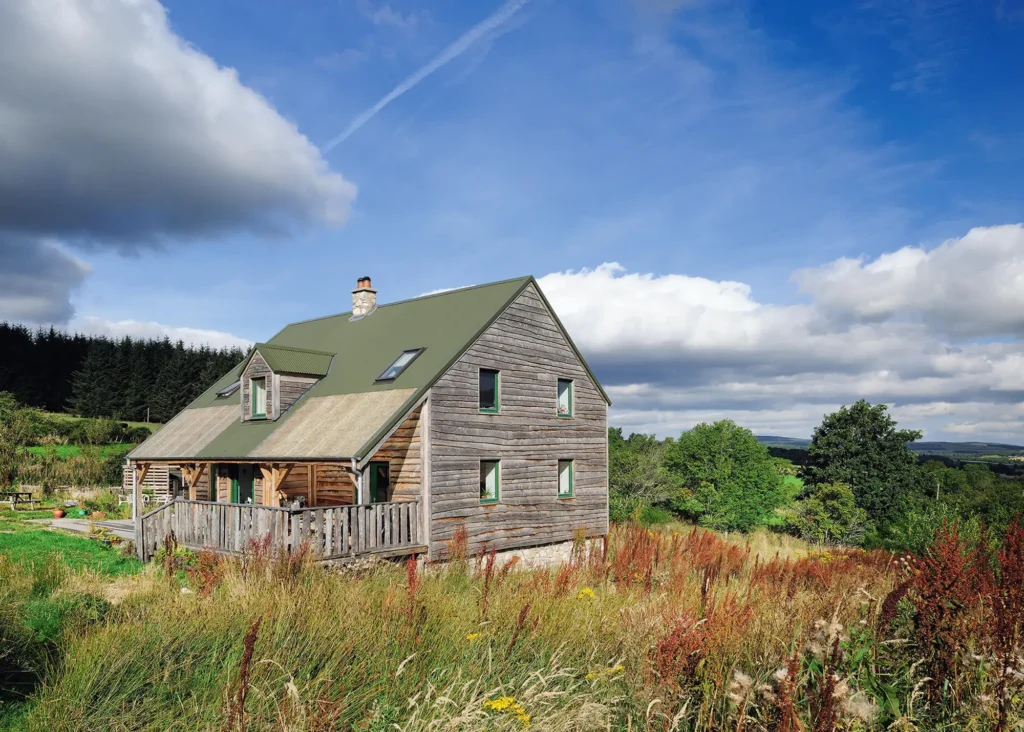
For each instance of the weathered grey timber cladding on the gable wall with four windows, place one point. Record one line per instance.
(527, 436)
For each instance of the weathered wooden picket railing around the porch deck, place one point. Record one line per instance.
(332, 533)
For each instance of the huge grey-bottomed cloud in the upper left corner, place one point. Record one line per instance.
(117, 132)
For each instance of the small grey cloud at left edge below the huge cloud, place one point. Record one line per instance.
(37, 279)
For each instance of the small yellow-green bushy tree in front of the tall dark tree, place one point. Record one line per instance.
(829, 515)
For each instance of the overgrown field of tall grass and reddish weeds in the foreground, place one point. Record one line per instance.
(677, 629)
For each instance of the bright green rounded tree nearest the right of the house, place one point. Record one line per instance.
(727, 478)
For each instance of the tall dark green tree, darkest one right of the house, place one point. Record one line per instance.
(860, 446)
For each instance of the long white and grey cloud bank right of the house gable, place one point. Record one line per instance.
(914, 329)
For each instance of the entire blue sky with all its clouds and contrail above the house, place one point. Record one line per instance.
(747, 210)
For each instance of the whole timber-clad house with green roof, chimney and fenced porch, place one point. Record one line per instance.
(388, 428)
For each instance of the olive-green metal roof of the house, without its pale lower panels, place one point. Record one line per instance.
(358, 352)
